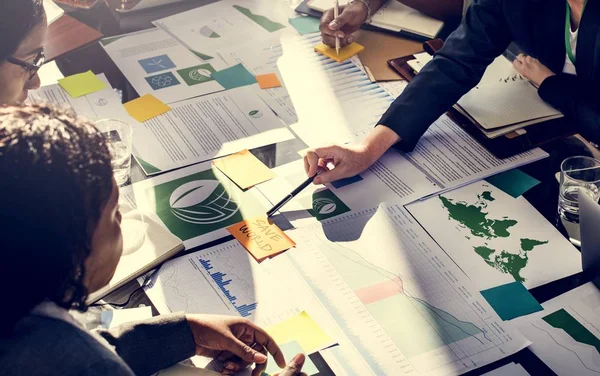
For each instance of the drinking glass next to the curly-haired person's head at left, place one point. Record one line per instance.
(119, 138)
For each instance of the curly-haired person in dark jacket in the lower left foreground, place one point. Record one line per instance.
(60, 239)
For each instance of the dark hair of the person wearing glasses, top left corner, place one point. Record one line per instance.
(17, 19)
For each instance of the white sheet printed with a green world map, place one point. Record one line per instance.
(496, 239)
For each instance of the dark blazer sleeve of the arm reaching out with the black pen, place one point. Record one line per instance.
(482, 36)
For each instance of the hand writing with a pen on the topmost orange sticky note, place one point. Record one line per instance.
(349, 20)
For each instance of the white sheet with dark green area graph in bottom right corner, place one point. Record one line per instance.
(566, 334)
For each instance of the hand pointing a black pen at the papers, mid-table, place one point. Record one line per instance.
(348, 160)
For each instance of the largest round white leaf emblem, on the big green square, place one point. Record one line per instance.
(202, 202)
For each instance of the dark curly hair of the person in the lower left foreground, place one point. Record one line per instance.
(55, 179)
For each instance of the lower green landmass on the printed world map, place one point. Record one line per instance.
(507, 262)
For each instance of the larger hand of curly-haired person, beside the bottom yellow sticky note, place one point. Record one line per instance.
(235, 341)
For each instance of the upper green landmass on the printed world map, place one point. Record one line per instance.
(475, 219)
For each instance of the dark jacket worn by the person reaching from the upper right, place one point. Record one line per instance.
(537, 27)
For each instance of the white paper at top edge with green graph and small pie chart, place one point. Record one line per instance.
(212, 27)
